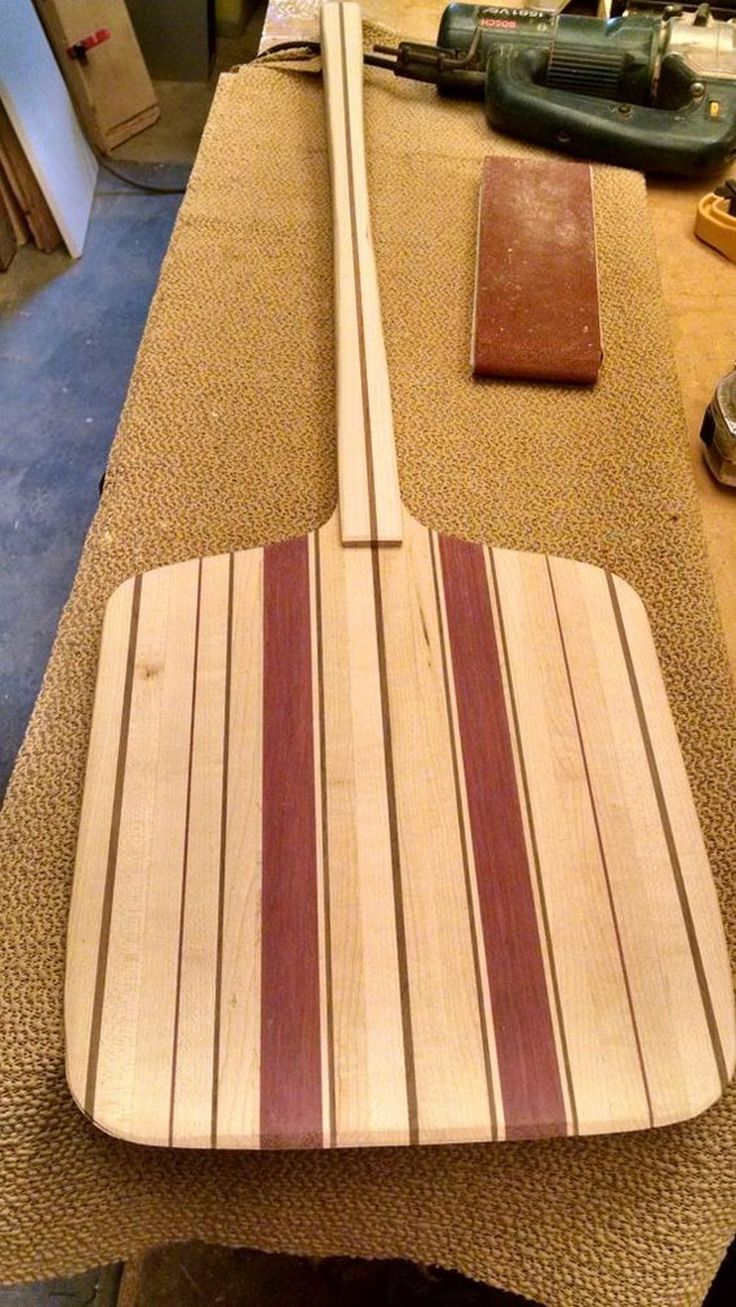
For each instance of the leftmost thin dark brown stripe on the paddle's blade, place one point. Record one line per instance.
(101, 977)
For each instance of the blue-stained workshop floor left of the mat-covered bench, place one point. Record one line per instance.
(63, 389)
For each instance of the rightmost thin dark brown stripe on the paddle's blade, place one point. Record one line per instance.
(671, 842)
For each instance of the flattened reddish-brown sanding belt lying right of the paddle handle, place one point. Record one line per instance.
(537, 304)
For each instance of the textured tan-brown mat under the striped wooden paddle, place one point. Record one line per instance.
(227, 442)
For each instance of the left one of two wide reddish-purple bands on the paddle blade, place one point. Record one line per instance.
(291, 1071)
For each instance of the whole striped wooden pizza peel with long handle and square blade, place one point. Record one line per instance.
(386, 837)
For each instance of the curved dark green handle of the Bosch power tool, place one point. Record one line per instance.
(690, 141)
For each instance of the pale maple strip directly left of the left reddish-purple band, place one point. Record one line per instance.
(239, 1099)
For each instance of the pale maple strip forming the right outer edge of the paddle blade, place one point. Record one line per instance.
(690, 859)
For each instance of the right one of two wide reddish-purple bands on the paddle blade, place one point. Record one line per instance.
(525, 1037)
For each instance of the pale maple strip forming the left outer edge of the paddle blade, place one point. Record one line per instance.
(93, 846)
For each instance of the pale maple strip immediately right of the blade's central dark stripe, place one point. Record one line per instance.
(453, 1093)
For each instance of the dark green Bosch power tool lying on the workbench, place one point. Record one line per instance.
(648, 91)
